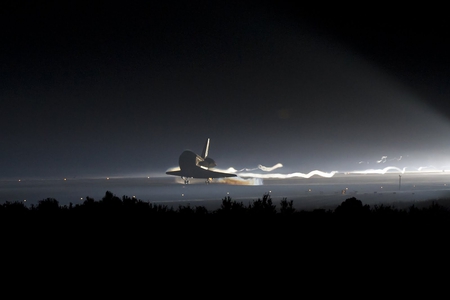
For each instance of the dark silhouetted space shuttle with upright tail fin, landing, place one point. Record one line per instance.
(192, 165)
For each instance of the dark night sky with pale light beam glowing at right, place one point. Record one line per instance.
(105, 88)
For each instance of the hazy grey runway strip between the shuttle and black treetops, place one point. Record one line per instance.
(307, 193)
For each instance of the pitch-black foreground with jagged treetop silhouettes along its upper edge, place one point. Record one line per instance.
(124, 242)
